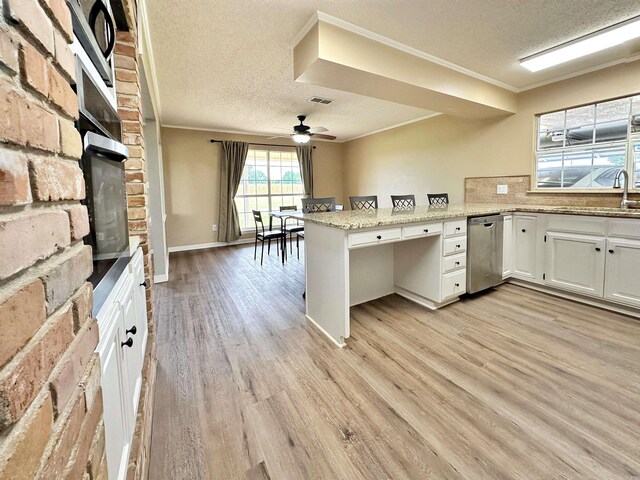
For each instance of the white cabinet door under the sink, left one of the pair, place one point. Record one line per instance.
(576, 262)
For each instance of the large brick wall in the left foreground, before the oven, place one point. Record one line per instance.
(50, 398)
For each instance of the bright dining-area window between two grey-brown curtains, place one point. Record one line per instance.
(270, 179)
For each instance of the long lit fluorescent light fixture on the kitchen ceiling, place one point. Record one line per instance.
(594, 42)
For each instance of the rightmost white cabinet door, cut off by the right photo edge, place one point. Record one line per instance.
(621, 273)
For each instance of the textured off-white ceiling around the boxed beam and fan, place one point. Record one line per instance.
(228, 64)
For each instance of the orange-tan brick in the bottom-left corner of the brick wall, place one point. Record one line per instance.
(27, 442)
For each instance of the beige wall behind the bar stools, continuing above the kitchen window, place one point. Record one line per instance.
(435, 155)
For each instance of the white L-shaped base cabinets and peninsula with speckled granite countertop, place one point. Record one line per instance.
(351, 257)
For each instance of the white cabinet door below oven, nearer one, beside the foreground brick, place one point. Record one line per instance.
(115, 430)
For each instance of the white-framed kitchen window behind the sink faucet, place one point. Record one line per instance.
(584, 147)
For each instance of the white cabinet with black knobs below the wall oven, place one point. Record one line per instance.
(122, 323)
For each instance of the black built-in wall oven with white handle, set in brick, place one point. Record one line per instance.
(103, 166)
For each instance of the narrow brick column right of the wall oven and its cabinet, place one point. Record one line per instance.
(130, 109)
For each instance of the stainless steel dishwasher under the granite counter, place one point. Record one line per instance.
(484, 252)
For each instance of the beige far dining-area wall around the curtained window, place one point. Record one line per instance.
(191, 175)
